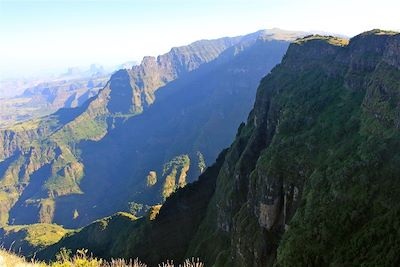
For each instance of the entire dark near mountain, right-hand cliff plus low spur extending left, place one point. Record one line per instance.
(310, 180)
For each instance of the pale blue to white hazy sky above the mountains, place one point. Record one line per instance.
(45, 35)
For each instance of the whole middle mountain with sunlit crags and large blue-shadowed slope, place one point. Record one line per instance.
(79, 160)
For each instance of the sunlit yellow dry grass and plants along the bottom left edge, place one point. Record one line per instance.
(82, 259)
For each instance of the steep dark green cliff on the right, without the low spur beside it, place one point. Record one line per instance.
(287, 159)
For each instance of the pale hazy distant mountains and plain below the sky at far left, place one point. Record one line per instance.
(25, 99)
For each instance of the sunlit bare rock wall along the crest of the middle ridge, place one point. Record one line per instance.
(143, 80)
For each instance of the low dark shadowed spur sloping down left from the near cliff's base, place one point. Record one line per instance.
(123, 235)
